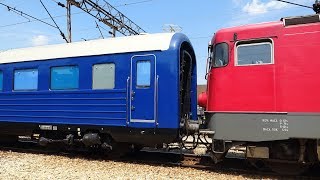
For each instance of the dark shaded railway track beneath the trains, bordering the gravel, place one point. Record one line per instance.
(163, 158)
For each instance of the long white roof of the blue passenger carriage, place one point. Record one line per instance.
(137, 43)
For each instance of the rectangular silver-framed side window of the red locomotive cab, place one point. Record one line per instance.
(254, 54)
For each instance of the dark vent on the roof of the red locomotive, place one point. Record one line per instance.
(290, 21)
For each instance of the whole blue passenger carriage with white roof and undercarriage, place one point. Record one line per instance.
(137, 90)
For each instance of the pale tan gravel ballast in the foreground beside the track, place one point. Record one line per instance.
(14, 165)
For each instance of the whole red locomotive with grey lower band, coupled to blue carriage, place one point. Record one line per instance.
(263, 92)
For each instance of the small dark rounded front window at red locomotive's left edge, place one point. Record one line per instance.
(220, 55)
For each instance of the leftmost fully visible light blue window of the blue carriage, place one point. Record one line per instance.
(26, 79)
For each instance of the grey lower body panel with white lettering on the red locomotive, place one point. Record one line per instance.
(264, 126)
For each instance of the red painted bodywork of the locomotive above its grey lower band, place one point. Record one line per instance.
(291, 84)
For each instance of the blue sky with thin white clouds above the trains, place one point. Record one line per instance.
(199, 20)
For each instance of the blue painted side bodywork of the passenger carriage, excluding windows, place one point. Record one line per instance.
(84, 106)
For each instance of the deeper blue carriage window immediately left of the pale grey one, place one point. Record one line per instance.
(64, 77)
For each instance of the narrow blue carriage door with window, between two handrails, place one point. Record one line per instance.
(143, 91)
